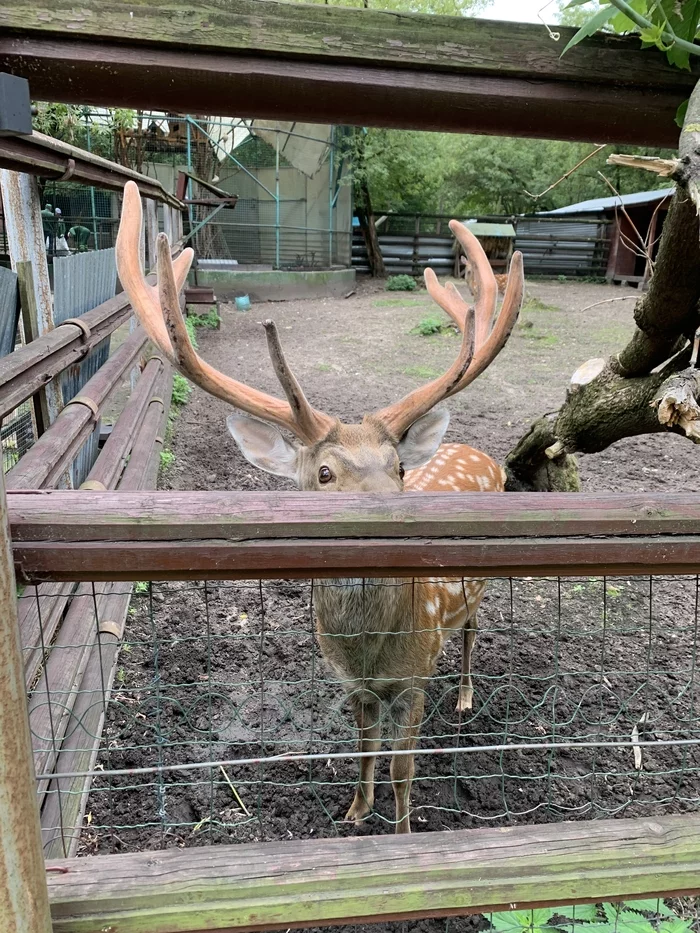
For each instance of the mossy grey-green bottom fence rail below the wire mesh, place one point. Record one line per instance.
(282, 885)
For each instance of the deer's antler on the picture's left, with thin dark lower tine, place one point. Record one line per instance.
(158, 309)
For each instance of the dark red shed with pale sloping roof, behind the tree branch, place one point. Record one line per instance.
(631, 217)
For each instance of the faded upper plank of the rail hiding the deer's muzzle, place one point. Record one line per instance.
(180, 516)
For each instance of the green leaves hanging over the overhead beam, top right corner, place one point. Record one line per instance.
(668, 25)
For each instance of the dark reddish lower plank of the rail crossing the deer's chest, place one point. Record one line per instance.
(304, 558)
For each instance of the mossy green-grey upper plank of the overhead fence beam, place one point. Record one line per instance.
(408, 40)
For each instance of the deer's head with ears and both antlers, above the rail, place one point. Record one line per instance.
(325, 454)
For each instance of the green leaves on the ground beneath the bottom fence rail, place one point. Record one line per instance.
(630, 917)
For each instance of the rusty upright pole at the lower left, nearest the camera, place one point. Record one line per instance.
(24, 898)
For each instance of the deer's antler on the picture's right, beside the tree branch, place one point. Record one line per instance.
(484, 333)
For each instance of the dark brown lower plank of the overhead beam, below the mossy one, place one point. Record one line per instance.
(154, 78)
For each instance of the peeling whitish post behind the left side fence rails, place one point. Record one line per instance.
(25, 239)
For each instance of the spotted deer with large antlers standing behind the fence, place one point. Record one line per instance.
(383, 638)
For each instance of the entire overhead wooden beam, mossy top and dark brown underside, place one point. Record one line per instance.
(331, 64)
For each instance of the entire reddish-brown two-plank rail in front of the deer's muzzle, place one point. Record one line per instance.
(73, 535)
